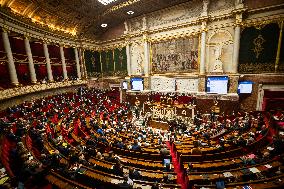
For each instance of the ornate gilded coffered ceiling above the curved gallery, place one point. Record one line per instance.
(84, 17)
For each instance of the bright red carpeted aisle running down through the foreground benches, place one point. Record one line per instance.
(180, 174)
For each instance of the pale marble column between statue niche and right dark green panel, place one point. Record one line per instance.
(237, 37)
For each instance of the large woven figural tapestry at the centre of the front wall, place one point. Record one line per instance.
(179, 55)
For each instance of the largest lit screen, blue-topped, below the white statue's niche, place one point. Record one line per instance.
(217, 84)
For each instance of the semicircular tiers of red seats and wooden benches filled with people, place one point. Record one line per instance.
(89, 140)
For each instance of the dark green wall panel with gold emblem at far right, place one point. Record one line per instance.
(258, 49)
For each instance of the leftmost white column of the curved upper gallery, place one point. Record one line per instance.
(11, 64)
